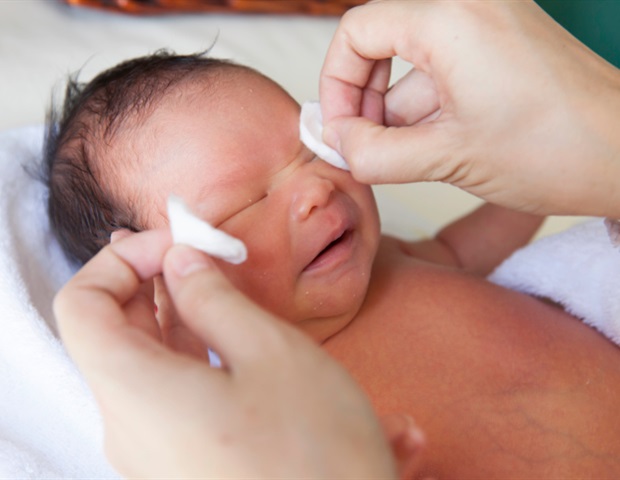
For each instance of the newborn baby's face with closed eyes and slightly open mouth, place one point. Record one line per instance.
(234, 155)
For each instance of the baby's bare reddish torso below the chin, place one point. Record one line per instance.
(503, 385)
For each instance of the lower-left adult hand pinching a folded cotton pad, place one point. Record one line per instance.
(280, 407)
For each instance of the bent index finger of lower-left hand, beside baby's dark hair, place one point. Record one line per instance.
(101, 299)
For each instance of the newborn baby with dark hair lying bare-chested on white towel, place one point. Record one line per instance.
(504, 385)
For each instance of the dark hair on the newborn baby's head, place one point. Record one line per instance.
(82, 209)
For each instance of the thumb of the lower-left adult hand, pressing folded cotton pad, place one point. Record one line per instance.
(225, 319)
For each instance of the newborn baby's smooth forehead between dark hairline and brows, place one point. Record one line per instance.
(218, 138)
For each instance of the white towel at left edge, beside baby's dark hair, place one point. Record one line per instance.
(49, 423)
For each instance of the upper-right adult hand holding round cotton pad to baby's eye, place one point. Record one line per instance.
(502, 102)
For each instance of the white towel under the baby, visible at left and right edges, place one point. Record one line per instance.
(49, 425)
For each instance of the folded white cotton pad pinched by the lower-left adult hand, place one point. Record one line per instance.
(190, 230)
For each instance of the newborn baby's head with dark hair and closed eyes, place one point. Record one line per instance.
(226, 139)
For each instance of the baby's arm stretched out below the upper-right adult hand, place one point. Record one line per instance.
(479, 241)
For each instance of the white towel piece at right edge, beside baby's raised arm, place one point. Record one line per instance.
(578, 268)
